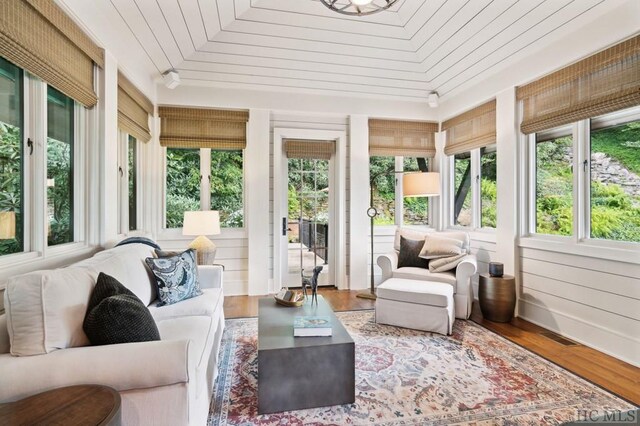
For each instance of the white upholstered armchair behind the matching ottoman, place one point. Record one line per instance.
(459, 278)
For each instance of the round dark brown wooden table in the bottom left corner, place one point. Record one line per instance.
(71, 405)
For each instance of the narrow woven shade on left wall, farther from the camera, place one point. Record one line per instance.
(133, 110)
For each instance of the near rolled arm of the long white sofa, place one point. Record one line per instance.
(123, 367)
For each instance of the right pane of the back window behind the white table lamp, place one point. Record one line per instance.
(226, 187)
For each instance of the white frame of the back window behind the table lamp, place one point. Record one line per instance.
(205, 196)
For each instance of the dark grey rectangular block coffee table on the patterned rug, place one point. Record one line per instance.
(302, 372)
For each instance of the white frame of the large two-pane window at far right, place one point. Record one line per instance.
(580, 242)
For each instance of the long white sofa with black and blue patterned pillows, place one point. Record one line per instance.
(166, 382)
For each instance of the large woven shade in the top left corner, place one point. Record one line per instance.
(38, 36)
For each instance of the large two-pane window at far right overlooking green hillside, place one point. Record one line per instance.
(605, 176)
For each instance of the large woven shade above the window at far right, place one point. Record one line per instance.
(605, 82)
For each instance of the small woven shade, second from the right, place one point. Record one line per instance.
(471, 130)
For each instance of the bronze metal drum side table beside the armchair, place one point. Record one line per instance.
(497, 297)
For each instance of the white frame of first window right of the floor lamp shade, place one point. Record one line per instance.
(476, 196)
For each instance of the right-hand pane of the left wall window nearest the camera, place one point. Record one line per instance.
(60, 136)
